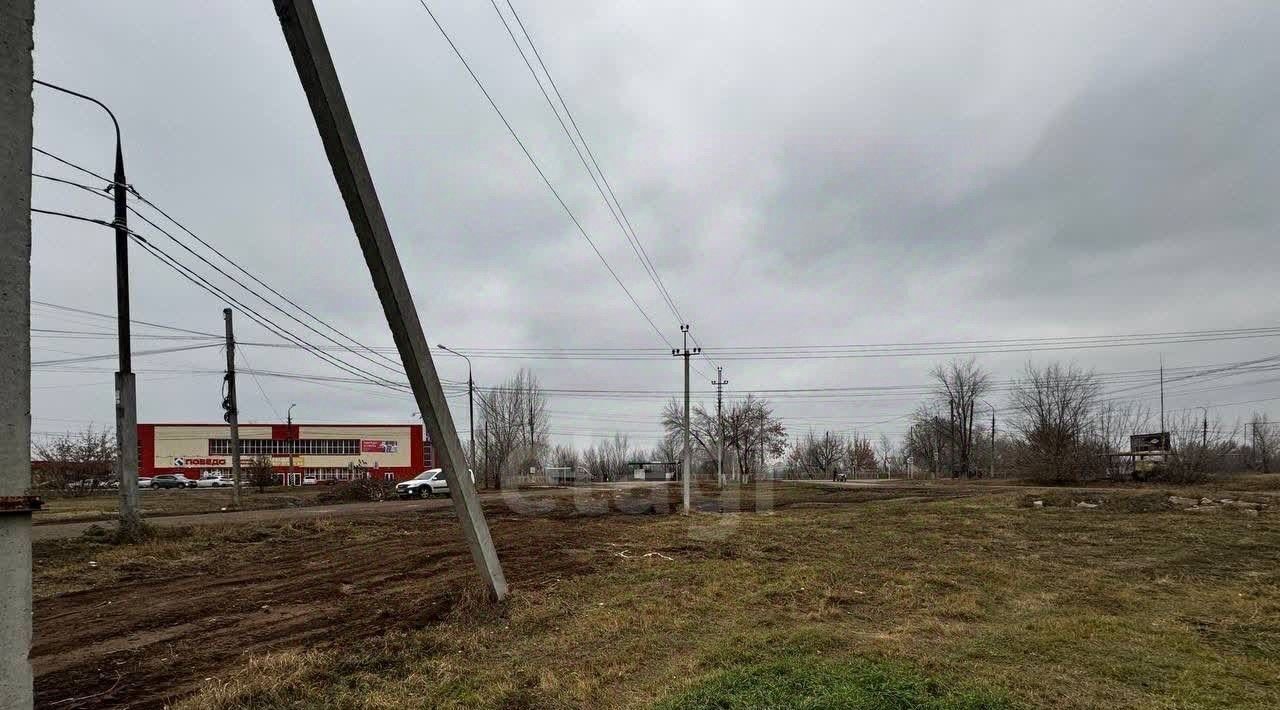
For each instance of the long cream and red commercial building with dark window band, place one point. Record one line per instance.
(328, 452)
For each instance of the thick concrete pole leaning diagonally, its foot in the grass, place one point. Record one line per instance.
(319, 80)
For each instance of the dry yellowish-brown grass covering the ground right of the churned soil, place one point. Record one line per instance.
(1050, 608)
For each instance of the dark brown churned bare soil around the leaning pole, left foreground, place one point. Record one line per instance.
(150, 639)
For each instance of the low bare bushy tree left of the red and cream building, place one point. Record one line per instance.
(76, 462)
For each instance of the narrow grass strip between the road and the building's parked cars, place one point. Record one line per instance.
(170, 502)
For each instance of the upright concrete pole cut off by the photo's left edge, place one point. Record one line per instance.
(16, 509)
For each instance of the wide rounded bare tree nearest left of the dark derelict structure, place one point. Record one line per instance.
(1054, 410)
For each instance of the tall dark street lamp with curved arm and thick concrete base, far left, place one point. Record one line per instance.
(126, 400)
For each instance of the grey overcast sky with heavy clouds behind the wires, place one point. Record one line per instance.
(804, 173)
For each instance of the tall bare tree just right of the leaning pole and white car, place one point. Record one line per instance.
(514, 428)
